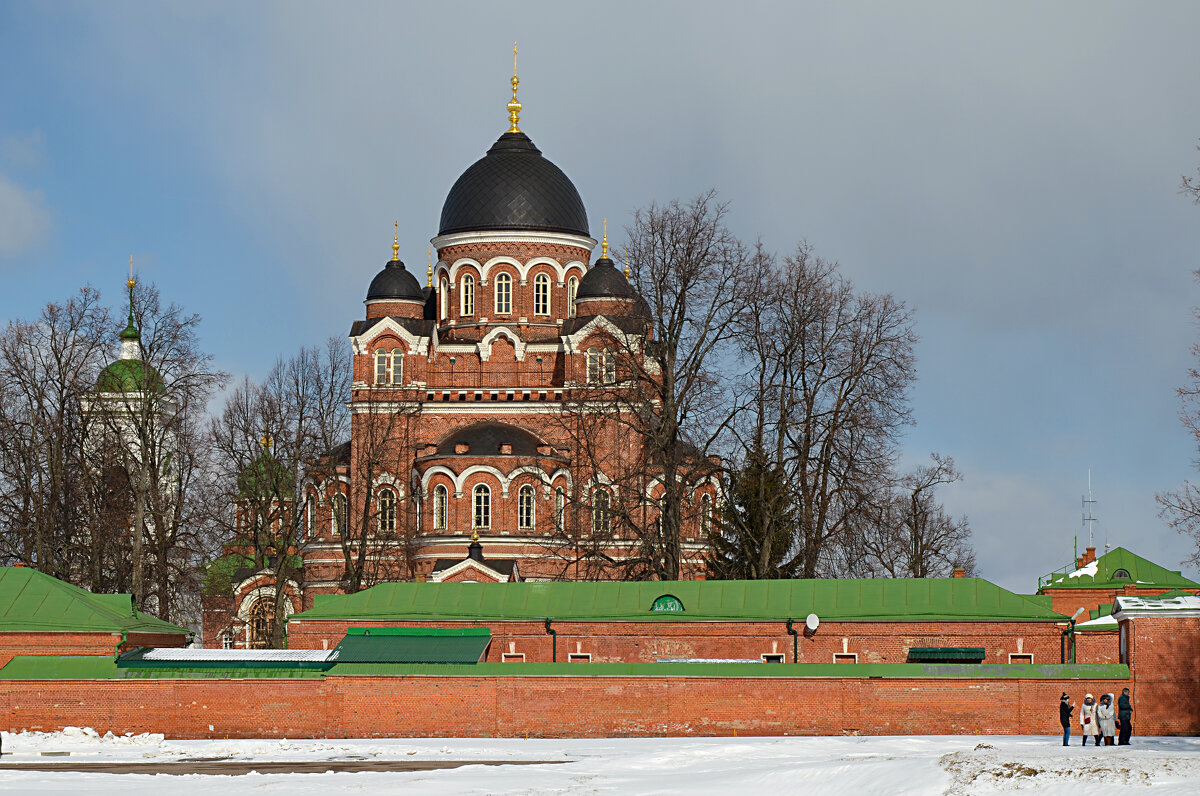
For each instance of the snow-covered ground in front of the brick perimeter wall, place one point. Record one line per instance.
(773, 767)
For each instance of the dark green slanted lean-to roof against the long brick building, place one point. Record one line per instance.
(412, 645)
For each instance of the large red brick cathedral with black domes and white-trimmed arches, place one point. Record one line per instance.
(489, 435)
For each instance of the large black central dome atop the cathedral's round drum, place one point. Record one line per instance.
(514, 188)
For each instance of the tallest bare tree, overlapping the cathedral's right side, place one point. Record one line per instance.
(646, 420)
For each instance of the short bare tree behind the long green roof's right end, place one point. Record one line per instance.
(910, 535)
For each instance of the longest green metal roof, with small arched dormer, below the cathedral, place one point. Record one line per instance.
(879, 600)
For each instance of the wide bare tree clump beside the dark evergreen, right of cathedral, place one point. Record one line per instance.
(824, 399)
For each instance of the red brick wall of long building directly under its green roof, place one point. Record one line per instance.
(650, 642)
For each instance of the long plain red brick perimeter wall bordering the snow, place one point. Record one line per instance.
(548, 707)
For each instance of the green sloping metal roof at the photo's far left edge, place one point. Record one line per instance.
(32, 602)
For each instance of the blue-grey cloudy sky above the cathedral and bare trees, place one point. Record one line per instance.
(1011, 171)
